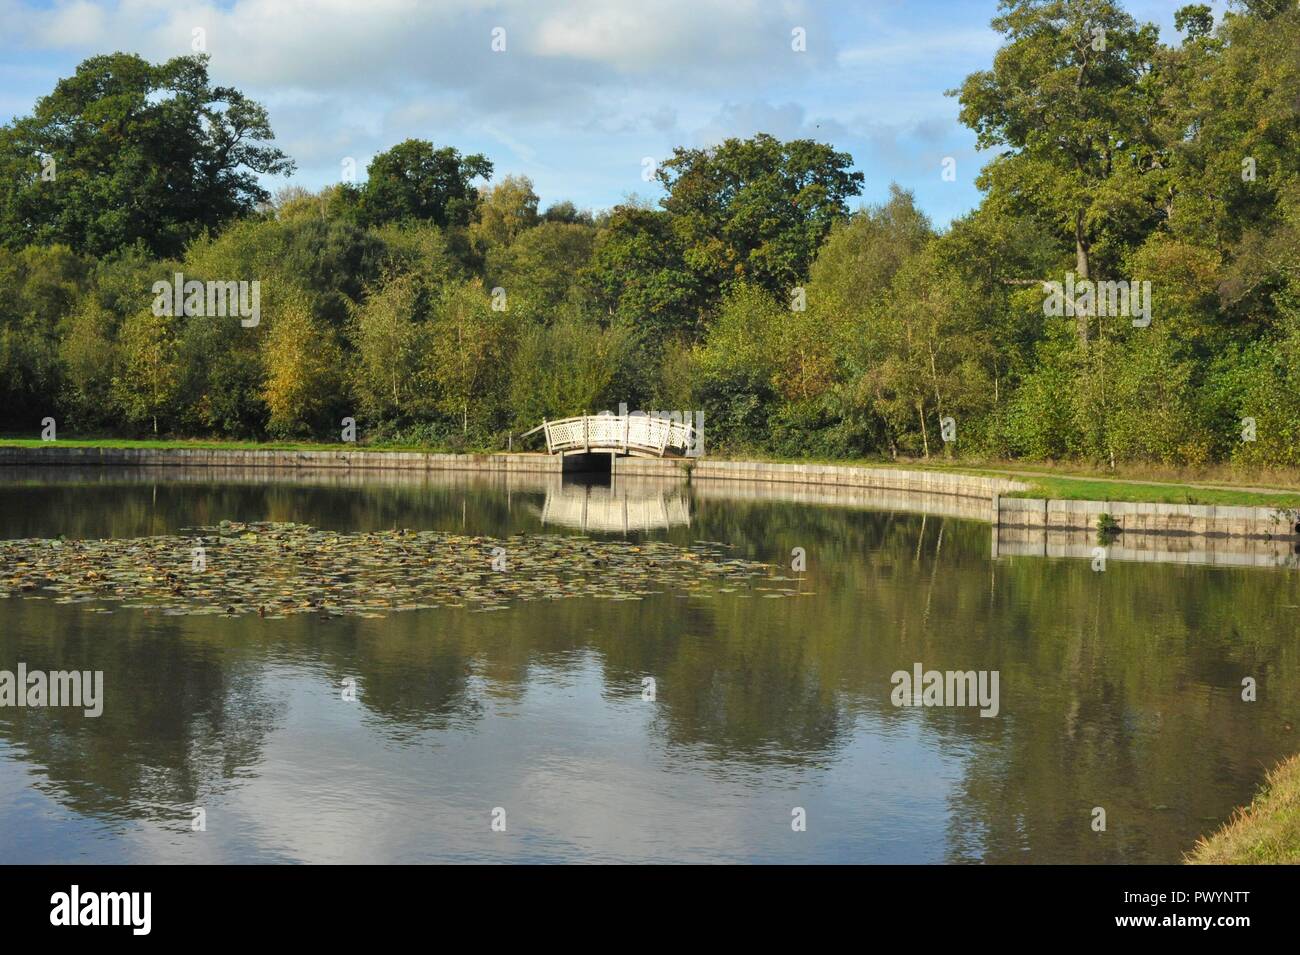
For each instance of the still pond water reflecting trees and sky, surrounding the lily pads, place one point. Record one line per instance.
(1120, 691)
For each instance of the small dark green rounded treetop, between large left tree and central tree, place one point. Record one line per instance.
(415, 181)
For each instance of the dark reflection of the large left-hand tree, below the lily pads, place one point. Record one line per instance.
(181, 719)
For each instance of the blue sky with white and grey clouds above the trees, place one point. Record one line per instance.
(583, 97)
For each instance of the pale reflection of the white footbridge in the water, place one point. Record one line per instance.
(617, 510)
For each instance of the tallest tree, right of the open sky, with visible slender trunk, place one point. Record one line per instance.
(1073, 97)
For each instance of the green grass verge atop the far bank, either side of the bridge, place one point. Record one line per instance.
(1138, 485)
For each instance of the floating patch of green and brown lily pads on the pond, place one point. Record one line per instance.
(276, 570)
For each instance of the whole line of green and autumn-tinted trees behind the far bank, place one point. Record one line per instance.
(445, 312)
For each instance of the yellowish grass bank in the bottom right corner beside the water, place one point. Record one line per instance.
(1266, 832)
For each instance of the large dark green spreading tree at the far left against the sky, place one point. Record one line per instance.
(128, 151)
